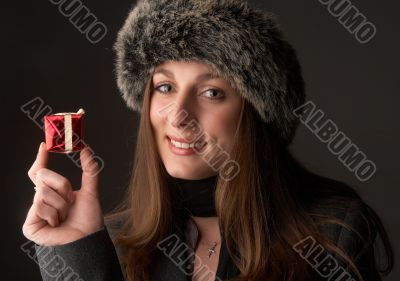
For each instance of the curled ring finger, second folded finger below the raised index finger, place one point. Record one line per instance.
(53, 199)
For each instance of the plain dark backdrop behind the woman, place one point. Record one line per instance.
(44, 55)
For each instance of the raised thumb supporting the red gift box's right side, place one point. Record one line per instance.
(90, 171)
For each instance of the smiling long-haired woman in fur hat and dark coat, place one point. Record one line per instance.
(215, 192)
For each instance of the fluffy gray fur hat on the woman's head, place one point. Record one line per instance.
(241, 43)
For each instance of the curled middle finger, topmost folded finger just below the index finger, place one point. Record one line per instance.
(55, 181)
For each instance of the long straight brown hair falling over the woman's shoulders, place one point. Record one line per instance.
(277, 197)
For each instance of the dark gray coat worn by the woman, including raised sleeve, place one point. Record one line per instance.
(95, 258)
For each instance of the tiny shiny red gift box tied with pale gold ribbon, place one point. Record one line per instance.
(64, 132)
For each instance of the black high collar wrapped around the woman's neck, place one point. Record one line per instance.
(195, 197)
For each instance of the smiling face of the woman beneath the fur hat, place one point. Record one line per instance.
(186, 95)
